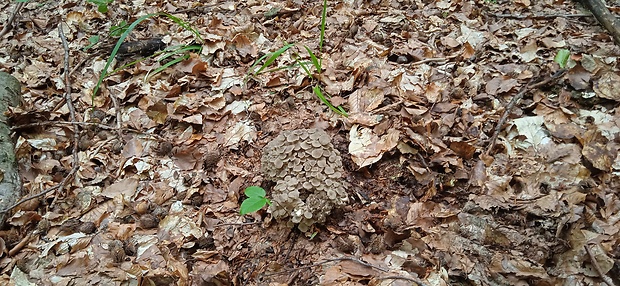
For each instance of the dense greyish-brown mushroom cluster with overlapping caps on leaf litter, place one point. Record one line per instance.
(308, 173)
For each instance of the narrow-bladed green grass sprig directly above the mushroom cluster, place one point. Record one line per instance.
(312, 68)
